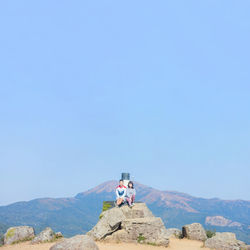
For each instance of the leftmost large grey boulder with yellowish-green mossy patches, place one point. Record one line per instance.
(17, 234)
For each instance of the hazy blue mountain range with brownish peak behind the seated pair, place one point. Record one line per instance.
(80, 213)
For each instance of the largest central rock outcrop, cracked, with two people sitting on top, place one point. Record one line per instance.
(125, 224)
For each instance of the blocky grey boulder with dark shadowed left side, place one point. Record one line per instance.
(194, 231)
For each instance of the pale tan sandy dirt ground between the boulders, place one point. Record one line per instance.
(175, 244)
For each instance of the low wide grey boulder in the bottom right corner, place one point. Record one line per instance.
(225, 241)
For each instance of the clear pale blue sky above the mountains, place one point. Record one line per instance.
(89, 89)
